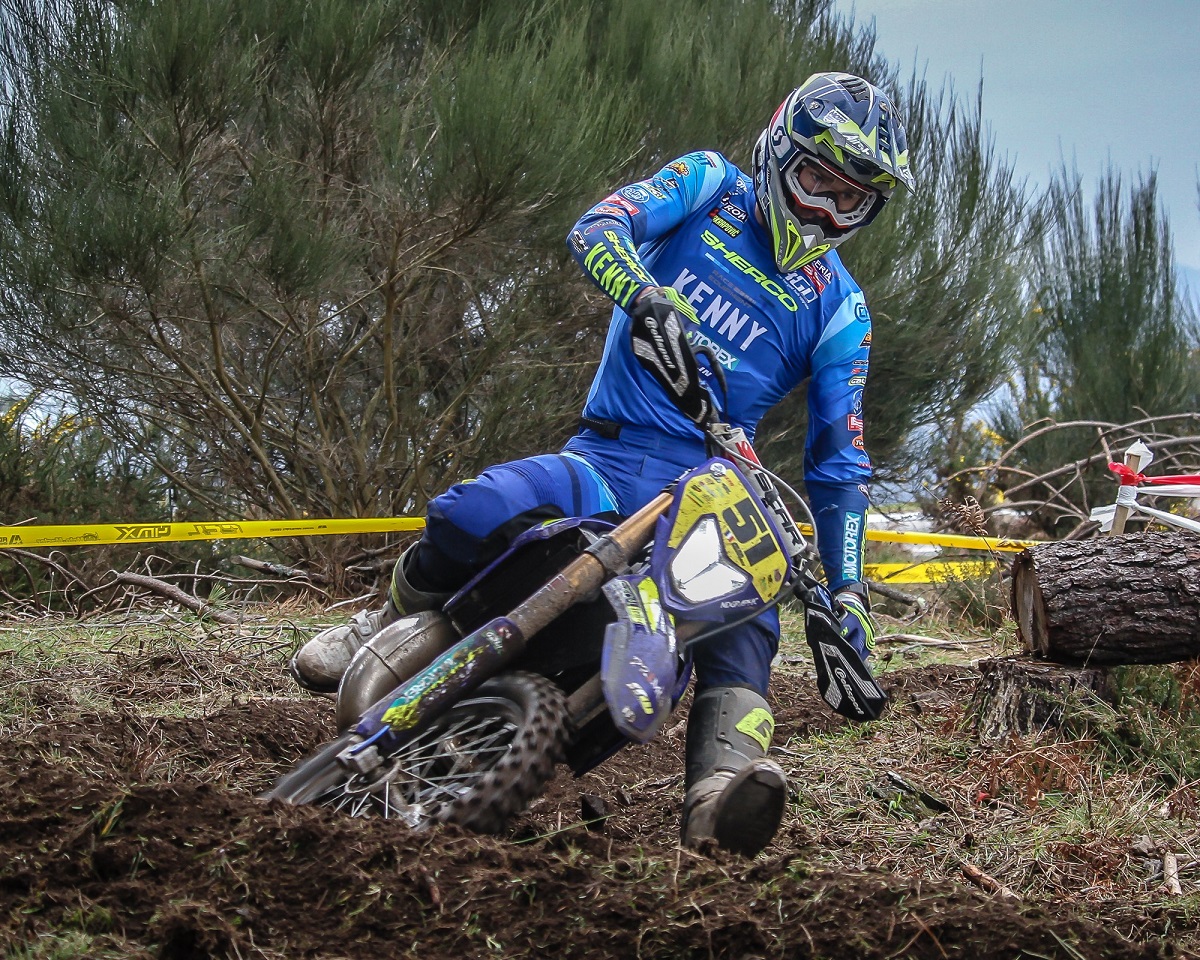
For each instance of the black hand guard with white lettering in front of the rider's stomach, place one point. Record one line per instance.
(661, 345)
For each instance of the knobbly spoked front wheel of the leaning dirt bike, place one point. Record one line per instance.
(478, 765)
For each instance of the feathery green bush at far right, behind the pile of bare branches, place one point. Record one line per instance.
(1114, 343)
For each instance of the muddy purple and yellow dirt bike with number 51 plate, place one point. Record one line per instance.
(572, 645)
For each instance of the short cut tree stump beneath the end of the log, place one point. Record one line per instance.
(1021, 697)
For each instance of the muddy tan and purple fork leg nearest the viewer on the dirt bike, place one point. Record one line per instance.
(410, 709)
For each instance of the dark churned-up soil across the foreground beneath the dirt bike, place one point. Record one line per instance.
(136, 831)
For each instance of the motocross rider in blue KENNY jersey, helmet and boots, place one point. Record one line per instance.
(703, 254)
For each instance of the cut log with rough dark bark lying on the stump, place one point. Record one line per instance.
(1132, 599)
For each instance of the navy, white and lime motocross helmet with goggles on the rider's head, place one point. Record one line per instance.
(825, 166)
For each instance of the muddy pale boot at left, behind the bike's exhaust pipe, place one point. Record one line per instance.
(319, 667)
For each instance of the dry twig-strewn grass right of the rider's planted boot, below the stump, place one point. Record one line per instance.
(1052, 820)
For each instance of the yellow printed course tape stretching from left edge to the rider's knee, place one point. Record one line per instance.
(81, 535)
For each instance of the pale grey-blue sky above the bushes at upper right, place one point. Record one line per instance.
(1083, 81)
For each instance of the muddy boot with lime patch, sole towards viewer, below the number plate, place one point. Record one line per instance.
(735, 795)
